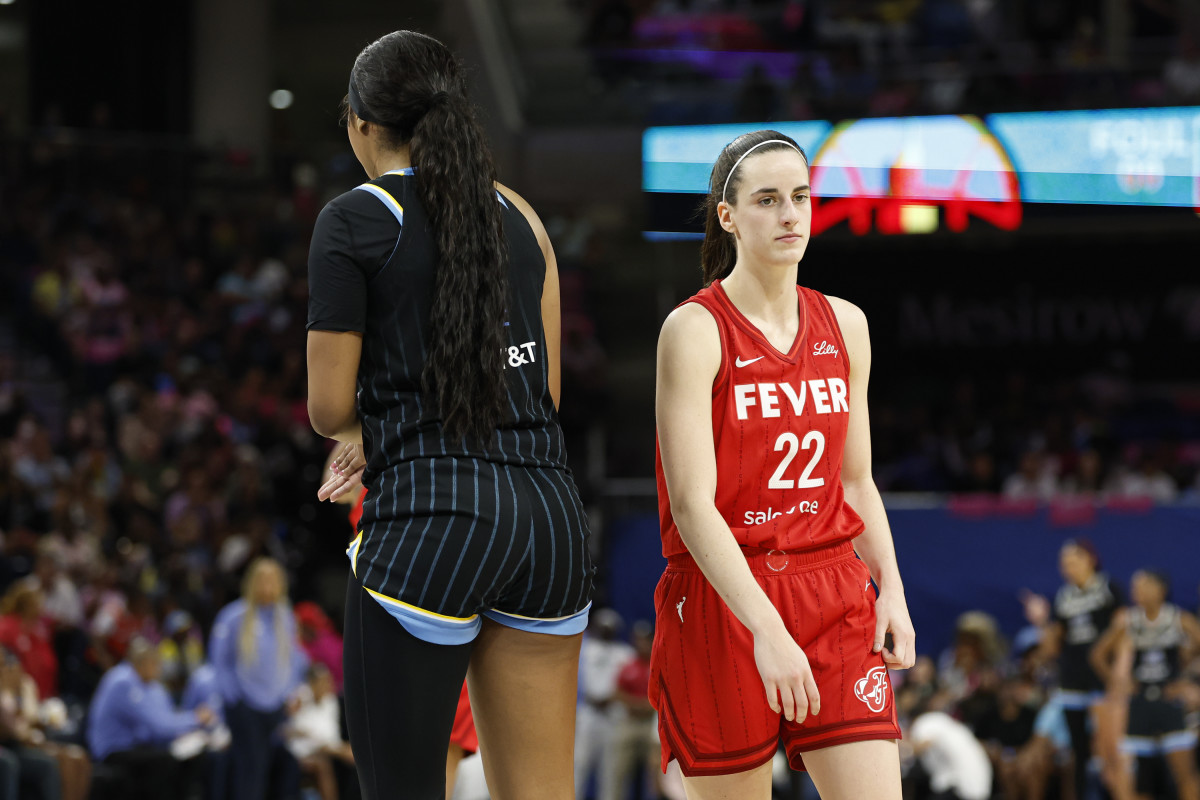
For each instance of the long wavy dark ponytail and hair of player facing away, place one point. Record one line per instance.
(413, 87)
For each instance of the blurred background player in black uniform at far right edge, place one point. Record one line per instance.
(1149, 646)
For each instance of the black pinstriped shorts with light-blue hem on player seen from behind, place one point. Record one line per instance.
(459, 539)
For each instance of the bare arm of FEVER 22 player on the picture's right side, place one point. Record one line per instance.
(874, 545)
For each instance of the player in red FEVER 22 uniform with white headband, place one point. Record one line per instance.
(769, 628)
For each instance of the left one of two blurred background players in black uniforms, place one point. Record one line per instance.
(1083, 610)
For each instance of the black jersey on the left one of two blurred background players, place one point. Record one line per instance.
(1085, 613)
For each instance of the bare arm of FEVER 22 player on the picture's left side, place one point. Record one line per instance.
(688, 363)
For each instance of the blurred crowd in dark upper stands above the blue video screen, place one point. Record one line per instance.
(811, 59)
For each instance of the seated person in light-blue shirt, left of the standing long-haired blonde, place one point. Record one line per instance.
(133, 725)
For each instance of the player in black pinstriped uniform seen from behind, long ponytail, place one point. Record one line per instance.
(434, 341)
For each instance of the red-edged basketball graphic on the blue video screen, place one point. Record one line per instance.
(913, 175)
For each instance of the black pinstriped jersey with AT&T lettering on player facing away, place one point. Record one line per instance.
(371, 269)
